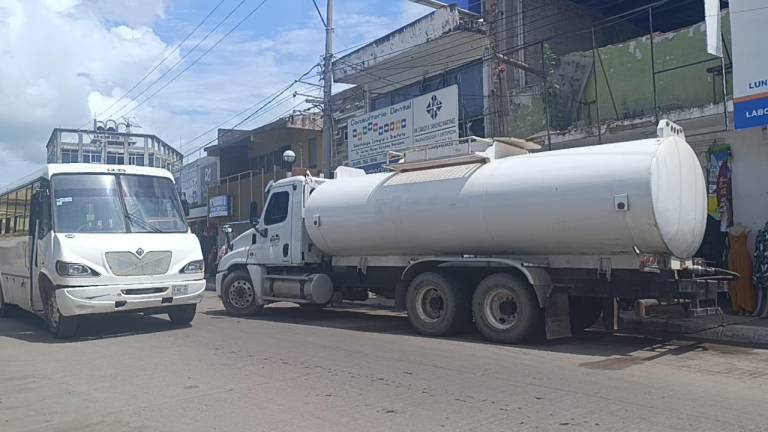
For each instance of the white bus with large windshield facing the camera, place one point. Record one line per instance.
(84, 239)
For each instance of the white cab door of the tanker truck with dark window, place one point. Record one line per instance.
(277, 221)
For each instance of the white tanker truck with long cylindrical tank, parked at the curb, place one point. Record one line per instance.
(515, 242)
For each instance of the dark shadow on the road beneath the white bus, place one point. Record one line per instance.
(27, 327)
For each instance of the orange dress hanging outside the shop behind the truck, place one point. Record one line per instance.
(740, 261)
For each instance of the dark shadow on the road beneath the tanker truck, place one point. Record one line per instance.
(590, 343)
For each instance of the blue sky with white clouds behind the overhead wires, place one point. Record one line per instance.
(70, 59)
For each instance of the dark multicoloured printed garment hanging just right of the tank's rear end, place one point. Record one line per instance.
(719, 185)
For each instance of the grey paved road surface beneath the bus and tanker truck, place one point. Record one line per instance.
(342, 370)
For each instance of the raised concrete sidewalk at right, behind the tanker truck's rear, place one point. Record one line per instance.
(714, 328)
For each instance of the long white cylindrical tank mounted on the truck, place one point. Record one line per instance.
(607, 199)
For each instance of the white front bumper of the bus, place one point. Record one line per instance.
(122, 298)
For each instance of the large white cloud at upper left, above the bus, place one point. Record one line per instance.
(53, 59)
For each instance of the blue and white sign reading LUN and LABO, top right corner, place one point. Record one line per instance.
(750, 63)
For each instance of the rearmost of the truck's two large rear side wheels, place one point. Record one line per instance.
(505, 309)
